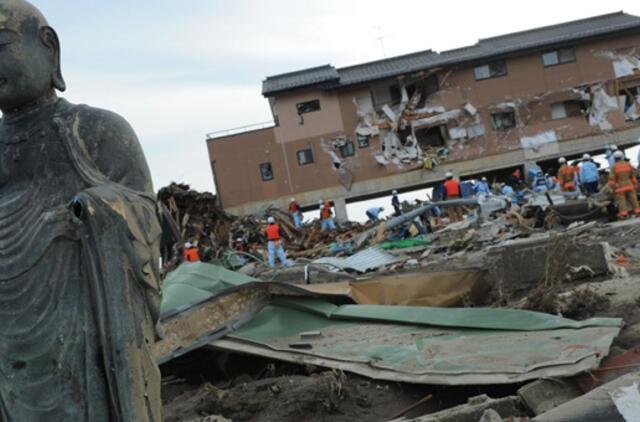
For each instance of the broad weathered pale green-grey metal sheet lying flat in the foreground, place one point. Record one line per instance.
(425, 354)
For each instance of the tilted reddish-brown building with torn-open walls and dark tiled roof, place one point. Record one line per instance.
(356, 132)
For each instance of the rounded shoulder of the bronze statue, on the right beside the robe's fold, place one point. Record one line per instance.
(114, 147)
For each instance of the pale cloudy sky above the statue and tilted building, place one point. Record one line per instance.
(180, 69)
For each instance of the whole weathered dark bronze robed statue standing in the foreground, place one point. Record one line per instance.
(79, 233)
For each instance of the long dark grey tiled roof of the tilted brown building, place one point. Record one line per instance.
(537, 38)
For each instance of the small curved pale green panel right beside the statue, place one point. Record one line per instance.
(192, 283)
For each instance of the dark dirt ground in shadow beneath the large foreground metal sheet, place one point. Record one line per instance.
(326, 396)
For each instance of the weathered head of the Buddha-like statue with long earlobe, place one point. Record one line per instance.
(29, 56)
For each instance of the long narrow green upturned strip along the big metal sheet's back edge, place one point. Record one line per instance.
(482, 318)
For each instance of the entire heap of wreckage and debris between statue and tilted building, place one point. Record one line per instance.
(517, 313)
